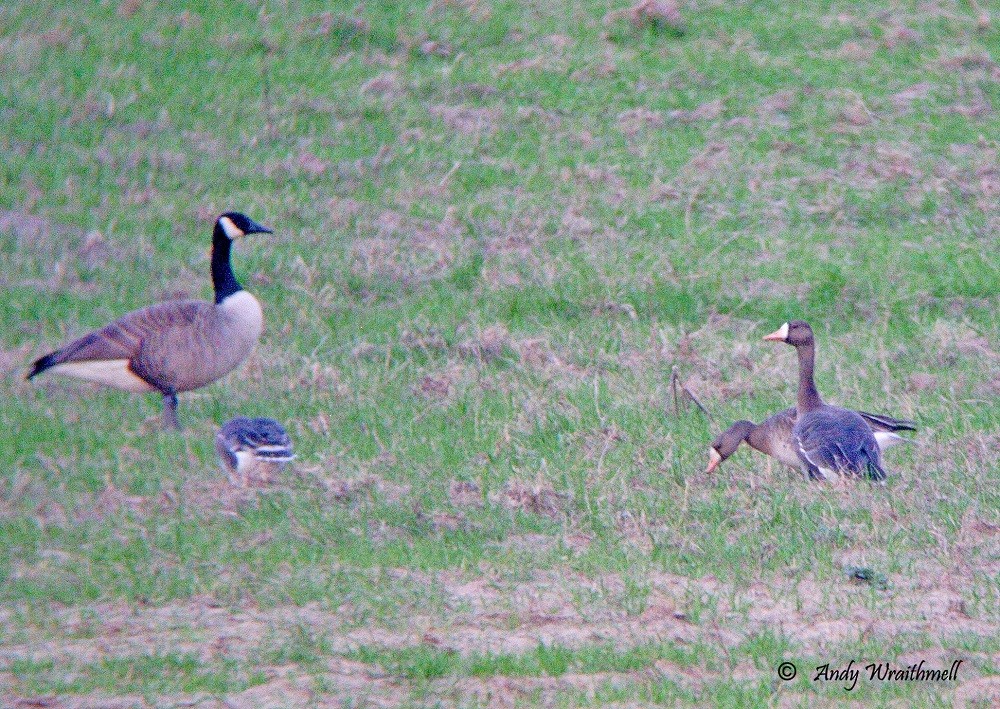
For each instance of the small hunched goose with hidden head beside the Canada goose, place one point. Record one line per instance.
(253, 451)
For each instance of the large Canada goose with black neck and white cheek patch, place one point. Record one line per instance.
(174, 346)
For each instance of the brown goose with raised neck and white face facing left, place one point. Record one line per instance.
(828, 439)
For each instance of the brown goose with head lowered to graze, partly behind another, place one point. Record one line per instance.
(773, 437)
